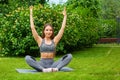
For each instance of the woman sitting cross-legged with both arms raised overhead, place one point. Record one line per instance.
(47, 44)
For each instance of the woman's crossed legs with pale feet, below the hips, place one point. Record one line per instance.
(55, 66)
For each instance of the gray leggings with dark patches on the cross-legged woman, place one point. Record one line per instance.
(48, 63)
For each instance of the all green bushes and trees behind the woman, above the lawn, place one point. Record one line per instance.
(87, 22)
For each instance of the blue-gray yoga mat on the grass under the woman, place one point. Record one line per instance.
(65, 69)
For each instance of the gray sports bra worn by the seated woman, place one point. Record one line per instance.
(47, 47)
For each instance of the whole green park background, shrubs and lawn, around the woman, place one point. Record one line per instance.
(88, 21)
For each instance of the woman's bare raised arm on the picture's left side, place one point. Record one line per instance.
(34, 32)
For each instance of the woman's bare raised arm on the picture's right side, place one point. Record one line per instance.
(61, 31)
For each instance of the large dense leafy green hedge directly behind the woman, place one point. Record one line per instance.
(16, 38)
